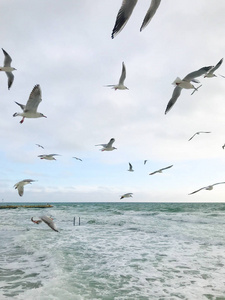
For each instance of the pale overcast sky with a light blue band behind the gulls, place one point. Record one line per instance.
(66, 47)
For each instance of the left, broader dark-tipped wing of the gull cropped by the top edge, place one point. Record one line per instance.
(123, 15)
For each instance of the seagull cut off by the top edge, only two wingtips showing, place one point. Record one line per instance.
(126, 10)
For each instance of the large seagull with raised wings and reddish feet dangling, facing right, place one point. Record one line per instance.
(30, 109)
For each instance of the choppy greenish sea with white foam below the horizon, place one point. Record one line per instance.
(132, 251)
